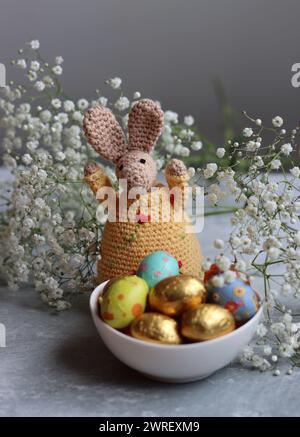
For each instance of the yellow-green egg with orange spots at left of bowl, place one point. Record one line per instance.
(123, 300)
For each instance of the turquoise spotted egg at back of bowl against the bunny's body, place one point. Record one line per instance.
(157, 266)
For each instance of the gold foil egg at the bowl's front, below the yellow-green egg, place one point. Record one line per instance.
(156, 328)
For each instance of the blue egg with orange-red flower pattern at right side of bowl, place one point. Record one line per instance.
(238, 297)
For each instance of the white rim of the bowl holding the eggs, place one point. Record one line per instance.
(200, 344)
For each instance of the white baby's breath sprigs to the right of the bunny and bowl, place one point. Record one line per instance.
(265, 238)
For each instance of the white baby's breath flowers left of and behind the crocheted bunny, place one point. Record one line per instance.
(49, 231)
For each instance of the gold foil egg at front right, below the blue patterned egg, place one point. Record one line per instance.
(206, 322)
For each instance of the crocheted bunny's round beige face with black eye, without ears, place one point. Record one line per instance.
(138, 168)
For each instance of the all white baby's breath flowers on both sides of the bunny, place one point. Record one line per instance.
(50, 227)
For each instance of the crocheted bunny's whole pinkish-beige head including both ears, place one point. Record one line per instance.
(133, 161)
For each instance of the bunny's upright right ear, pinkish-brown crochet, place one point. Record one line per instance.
(144, 125)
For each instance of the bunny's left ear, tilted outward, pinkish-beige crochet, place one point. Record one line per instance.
(104, 133)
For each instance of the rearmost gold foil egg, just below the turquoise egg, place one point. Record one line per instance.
(172, 296)
